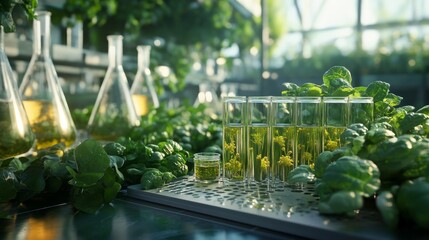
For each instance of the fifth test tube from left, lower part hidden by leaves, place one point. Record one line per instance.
(334, 121)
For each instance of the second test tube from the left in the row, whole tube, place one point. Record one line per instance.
(258, 141)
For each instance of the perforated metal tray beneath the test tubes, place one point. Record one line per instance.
(282, 208)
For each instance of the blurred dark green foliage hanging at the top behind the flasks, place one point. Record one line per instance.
(176, 28)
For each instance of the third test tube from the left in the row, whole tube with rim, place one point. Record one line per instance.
(283, 130)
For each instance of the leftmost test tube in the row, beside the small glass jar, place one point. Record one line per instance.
(234, 165)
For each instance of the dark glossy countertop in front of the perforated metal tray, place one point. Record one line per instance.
(126, 218)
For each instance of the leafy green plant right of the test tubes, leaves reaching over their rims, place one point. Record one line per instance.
(395, 147)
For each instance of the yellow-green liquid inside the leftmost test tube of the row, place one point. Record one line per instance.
(234, 162)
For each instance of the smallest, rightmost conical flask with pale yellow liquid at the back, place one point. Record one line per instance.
(142, 91)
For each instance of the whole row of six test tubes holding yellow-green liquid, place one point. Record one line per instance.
(265, 137)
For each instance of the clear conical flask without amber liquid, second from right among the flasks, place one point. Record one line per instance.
(113, 114)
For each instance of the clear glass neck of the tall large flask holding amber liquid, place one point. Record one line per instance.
(42, 33)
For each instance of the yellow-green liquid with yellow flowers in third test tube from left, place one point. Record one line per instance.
(283, 151)
